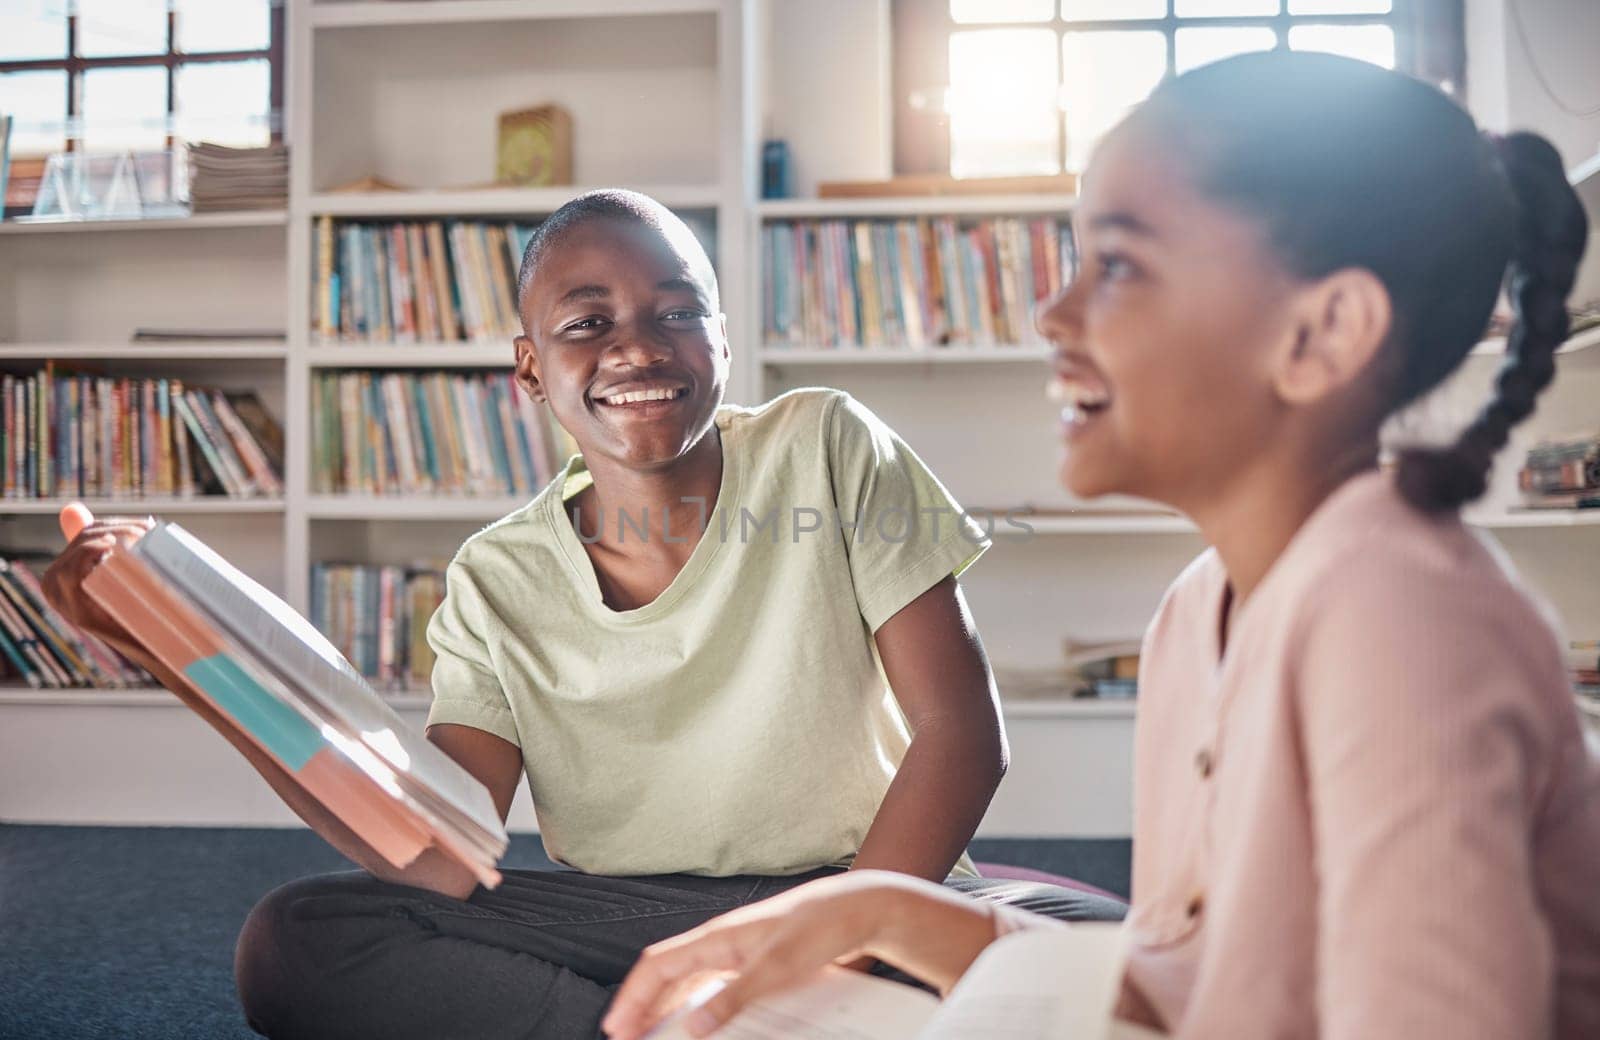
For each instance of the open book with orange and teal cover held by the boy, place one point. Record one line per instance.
(278, 681)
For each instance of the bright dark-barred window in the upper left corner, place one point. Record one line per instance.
(140, 74)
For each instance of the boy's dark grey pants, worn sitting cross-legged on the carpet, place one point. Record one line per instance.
(538, 959)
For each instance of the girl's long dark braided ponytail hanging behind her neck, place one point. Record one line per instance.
(1550, 242)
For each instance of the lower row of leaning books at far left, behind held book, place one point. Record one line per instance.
(44, 649)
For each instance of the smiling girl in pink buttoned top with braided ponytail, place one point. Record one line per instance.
(1364, 804)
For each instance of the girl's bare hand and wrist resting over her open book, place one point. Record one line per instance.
(914, 926)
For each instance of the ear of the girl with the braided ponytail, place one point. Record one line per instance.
(1340, 324)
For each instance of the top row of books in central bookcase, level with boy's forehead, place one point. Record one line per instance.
(425, 281)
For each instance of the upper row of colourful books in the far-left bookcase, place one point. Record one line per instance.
(86, 434)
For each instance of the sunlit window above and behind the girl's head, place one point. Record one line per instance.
(1028, 87)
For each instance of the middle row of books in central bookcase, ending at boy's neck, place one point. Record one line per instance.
(433, 433)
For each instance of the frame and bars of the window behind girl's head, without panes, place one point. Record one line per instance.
(1430, 44)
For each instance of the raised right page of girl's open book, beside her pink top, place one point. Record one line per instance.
(1038, 985)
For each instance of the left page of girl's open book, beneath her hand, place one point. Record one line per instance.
(836, 1006)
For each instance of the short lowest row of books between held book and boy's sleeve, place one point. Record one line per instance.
(378, 618)
